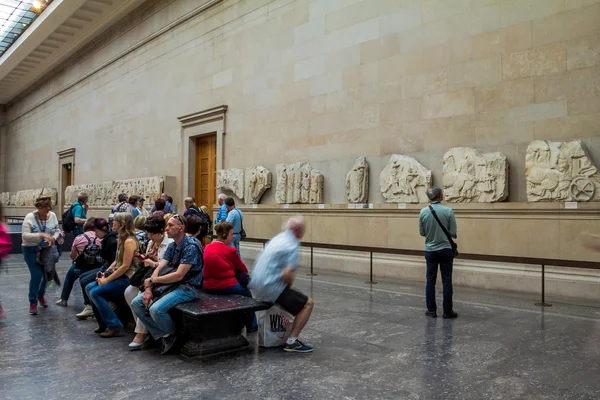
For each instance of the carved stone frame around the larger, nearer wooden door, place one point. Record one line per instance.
(202, 123)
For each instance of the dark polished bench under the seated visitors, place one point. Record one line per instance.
(213, 324)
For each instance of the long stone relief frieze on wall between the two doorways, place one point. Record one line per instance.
(105, 194)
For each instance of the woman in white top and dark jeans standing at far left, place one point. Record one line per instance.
(40, 231)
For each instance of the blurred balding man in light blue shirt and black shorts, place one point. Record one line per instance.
(273, 276)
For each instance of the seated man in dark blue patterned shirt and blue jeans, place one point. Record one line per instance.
(184, 254)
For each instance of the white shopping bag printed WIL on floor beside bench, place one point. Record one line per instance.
(274, 327)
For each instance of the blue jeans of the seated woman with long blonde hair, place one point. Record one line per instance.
(100, 295)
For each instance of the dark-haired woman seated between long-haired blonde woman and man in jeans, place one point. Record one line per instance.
(159, 241)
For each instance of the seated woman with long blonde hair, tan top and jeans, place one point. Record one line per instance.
(113, 282)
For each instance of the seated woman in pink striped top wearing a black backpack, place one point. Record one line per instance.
(80, 264)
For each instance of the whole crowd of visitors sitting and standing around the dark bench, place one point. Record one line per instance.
(154, 260)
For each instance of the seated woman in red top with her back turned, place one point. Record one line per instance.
(221, 263)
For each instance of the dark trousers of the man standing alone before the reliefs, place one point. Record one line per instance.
(444, 258)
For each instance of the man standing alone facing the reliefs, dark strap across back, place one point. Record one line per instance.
(438, 250)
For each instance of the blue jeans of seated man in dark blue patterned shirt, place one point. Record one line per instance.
(157, 319)
